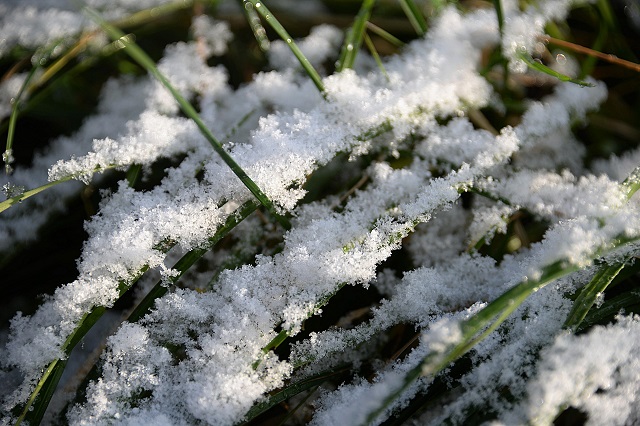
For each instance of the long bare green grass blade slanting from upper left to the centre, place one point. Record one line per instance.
(146, 62)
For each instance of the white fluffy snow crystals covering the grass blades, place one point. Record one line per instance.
(198, 355)
